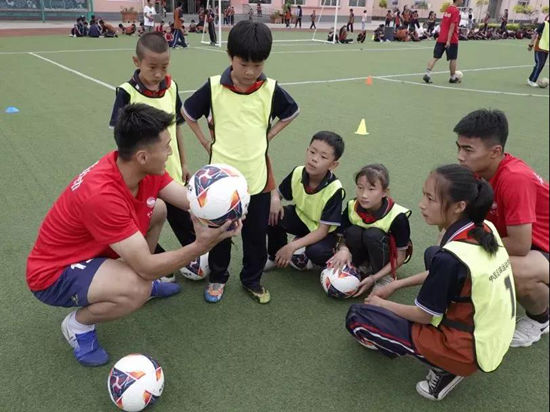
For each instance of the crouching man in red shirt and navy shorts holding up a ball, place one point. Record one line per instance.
(94, 248)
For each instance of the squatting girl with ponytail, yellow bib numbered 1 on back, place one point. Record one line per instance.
(463, 317)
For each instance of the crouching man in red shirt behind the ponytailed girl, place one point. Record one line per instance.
(520, 213)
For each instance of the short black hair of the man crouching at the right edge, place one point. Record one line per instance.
(491, 126)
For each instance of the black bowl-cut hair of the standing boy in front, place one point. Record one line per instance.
(251, 41)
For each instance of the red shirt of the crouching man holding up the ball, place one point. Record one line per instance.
(96, 209)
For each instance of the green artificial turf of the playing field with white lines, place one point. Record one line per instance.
(293, 354)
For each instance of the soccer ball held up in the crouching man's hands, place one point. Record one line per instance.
(218, 193)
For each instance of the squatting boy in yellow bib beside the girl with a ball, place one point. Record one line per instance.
(317, 210)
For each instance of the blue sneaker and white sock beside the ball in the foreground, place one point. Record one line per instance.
(86, 348)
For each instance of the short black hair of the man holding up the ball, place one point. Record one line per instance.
(139, 125)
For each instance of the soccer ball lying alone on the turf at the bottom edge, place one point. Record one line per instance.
(135, 382)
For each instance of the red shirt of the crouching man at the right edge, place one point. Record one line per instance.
(521, 197)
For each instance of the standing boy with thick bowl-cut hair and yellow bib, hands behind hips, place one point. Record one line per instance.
(240, 107)
